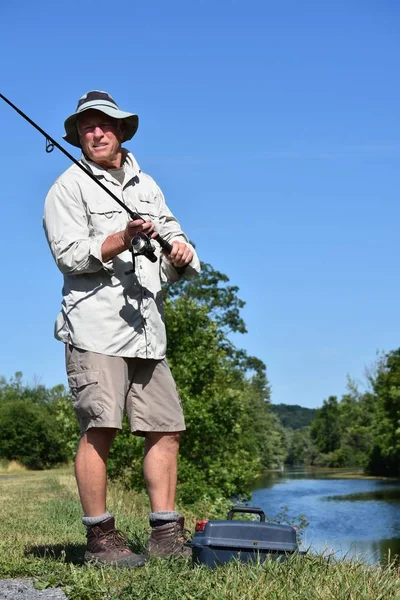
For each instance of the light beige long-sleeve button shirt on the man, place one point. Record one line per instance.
(105, 307)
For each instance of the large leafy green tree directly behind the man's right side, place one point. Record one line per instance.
(225, 391)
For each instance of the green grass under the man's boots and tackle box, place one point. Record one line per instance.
(43, 538)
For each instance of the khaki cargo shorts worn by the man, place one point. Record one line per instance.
(104, 387)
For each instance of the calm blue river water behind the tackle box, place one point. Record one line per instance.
(347, 517)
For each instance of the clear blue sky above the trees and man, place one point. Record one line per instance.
(273, 130)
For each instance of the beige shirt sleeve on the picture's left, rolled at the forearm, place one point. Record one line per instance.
(65, 222)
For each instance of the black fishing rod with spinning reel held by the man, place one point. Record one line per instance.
(141, 247)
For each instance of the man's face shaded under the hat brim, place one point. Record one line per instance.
(100, 137)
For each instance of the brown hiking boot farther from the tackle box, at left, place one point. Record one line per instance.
(108, 546)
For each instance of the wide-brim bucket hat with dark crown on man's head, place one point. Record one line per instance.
(102, 101)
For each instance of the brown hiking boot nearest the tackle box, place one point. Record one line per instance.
(170, 539)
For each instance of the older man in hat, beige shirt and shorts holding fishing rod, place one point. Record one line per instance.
(112, 322)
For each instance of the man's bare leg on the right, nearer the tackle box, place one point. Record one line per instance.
(160, 468)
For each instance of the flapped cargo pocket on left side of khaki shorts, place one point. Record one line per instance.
(85, 392)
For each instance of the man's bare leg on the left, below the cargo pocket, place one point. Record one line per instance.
(91, 469)
